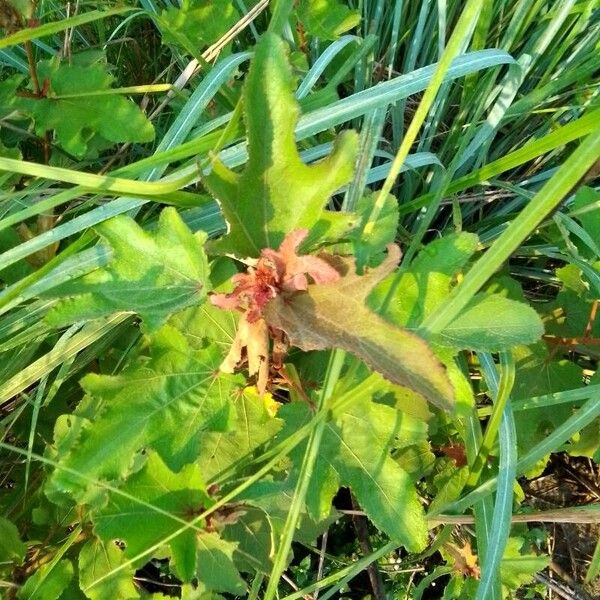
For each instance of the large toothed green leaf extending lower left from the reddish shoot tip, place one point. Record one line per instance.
(164, 402)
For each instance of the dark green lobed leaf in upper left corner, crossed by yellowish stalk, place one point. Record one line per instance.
(74, 111)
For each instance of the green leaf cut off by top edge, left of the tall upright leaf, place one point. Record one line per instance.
(197, 23)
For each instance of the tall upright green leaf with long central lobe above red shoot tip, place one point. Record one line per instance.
(276, 193)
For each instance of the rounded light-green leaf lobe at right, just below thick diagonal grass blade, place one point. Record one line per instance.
(490, 323)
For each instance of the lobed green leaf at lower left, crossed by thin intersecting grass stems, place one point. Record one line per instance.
(180, 494)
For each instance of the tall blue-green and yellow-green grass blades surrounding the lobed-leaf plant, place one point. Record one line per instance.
(493, 139)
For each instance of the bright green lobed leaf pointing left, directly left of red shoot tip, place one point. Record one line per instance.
(150, 274)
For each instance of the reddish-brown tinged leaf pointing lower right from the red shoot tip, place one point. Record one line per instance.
(335, 316)
